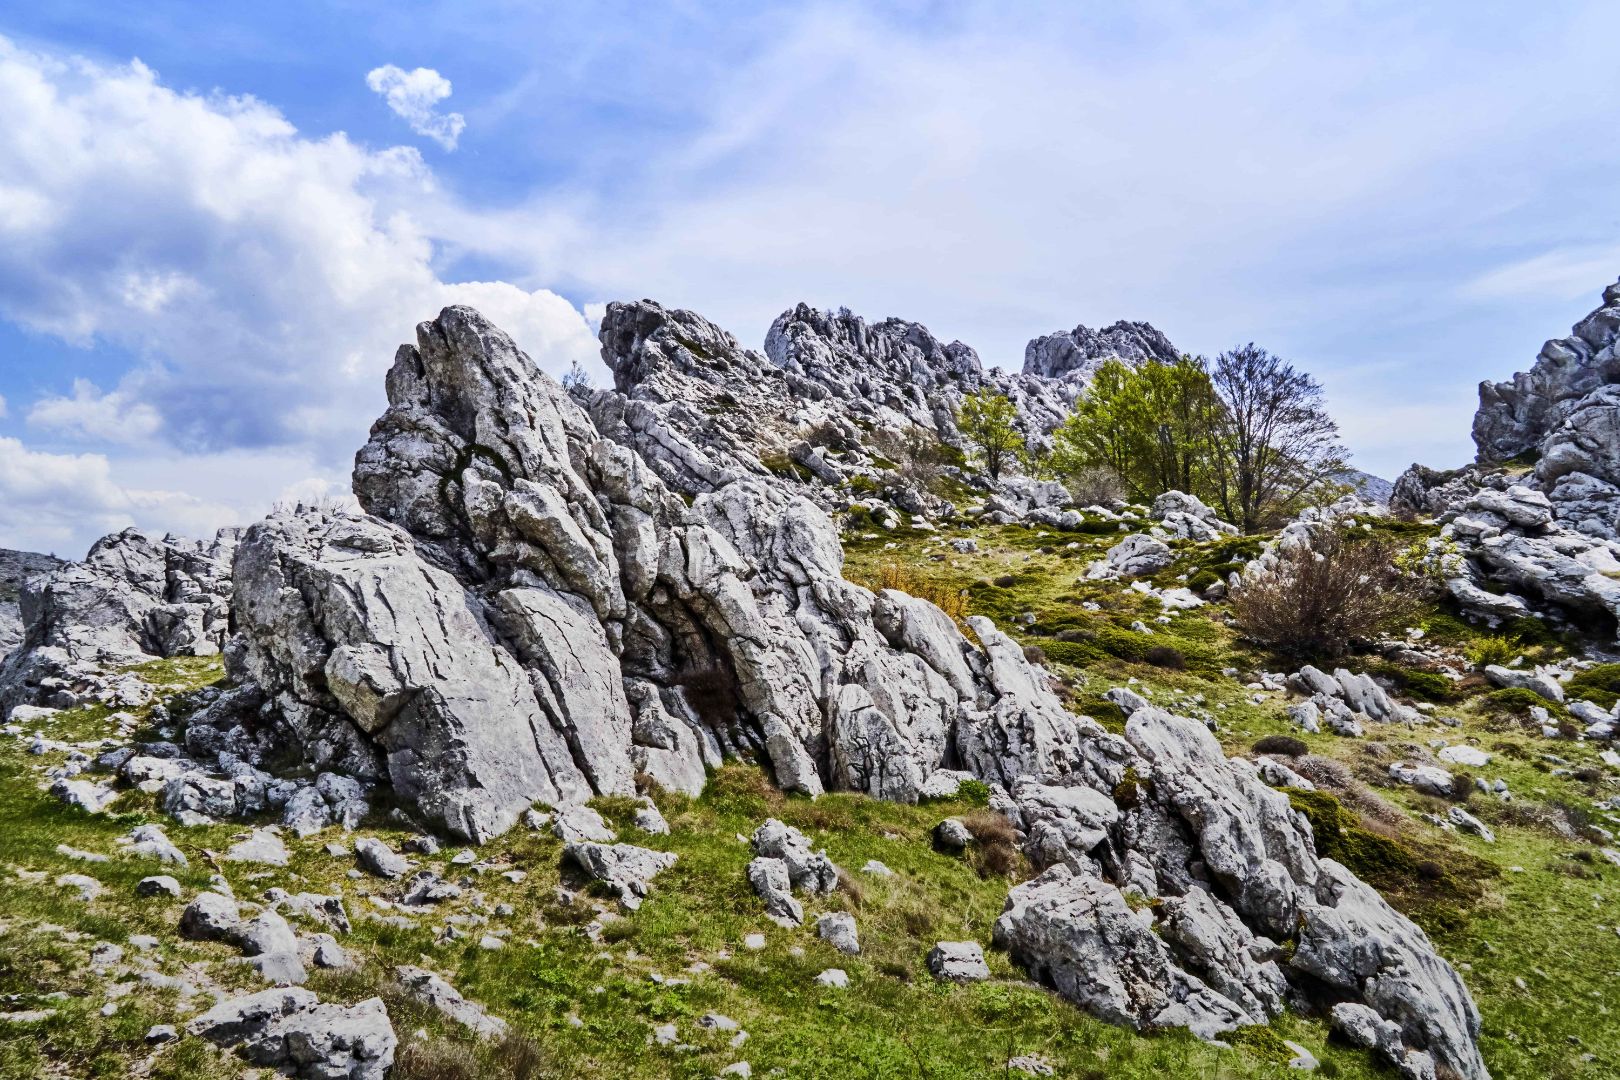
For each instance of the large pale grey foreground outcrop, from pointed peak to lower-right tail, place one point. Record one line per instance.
(529, 611)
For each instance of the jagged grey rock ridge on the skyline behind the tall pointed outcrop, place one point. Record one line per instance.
(824, 410)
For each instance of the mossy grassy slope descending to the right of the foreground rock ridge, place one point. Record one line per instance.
(1538, 906)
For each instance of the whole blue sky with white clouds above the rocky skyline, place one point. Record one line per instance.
(218, 221)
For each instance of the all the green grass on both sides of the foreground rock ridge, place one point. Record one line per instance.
(590, 1006)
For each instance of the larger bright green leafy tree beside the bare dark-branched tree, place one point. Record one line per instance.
(1153, 427)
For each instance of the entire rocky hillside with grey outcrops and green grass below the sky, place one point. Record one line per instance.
(691, 729)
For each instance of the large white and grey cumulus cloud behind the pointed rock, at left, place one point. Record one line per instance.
(262, 279)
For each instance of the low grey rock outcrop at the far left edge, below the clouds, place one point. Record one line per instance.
(132, 600)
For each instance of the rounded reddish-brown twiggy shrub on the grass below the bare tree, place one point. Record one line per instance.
(1324, 595)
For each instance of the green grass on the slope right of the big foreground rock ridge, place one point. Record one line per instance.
(1541, 904)
